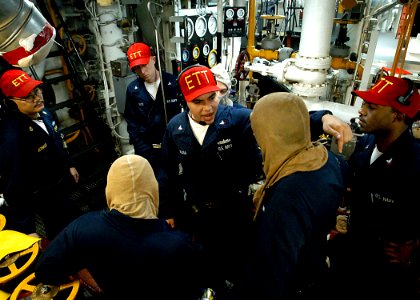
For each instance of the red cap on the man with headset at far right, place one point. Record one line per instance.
(387, 91)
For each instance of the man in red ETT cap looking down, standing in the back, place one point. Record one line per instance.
(145, 111)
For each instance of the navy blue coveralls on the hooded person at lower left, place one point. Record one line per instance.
(129, 258)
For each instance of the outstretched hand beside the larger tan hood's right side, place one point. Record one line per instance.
(337, 128)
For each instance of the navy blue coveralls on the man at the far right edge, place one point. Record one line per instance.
(384, 207)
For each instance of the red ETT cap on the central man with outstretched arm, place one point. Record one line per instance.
(196, 81)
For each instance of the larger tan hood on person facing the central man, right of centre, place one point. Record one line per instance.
(280, 122)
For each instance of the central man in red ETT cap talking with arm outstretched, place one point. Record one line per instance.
(211, 156)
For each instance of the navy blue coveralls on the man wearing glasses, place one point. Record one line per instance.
(35, 173)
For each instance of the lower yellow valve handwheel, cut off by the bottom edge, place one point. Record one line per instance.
(42, 291)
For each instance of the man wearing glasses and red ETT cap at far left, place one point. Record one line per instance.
(36, 172)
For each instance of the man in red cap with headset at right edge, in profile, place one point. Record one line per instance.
(380, 255)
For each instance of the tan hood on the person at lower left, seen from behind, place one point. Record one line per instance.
(132, 188)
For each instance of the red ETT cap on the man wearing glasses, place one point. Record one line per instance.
(16, 83)
